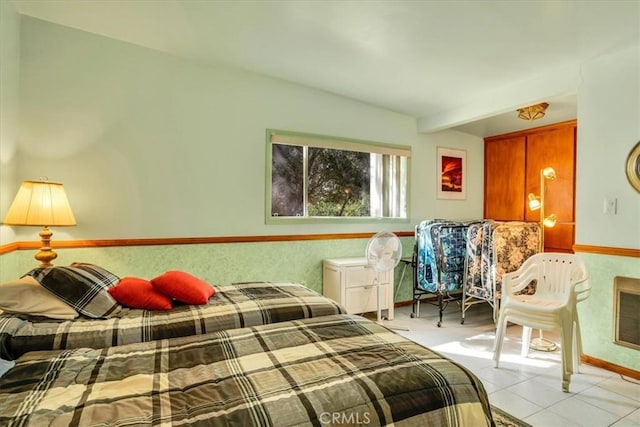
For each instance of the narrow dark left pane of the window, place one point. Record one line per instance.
(287, 165)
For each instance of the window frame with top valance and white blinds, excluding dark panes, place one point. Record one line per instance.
(400, 168)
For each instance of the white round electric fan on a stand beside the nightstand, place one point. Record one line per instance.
(383, 253)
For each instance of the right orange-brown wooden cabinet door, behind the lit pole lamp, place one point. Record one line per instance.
(554, 148)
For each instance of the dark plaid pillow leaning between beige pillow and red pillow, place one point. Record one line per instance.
(83, 286)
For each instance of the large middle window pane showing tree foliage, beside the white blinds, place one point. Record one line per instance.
(339, 182)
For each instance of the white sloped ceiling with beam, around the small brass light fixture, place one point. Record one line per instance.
(460, 64)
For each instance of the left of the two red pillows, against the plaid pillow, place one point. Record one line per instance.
(139, 293)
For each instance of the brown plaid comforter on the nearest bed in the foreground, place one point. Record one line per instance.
(329, 370)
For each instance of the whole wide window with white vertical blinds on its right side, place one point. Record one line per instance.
(312, 176)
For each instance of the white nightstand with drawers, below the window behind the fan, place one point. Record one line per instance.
(351, 282)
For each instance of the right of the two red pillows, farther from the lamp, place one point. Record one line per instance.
(183, 287)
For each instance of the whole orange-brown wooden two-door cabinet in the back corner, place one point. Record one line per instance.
(512, 171)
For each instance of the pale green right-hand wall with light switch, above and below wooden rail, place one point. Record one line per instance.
(608, 128)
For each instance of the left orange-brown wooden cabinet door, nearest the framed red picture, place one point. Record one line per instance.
(504, 168)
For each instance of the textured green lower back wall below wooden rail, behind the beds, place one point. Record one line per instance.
(219, 264)
